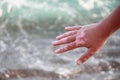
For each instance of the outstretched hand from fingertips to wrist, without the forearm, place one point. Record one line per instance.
(89, 36)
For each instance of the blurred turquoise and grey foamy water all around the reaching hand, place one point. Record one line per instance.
(27, 28)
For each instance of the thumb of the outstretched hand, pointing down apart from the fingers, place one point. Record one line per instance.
(84, 57)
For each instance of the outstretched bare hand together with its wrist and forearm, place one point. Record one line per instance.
(92, 36)
